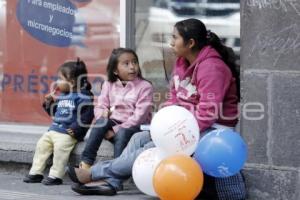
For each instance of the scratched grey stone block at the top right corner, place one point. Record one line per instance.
(270, 34)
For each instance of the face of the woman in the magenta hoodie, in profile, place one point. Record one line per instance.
(178, 45)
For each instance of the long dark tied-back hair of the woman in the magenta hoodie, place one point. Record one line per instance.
(195, 29)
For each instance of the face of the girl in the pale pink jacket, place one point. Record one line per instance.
(128, 67)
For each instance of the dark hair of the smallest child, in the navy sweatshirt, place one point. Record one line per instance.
(76, 71)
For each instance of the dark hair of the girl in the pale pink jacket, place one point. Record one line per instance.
(114, 60)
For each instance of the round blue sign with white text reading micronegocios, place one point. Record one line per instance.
(49, 21)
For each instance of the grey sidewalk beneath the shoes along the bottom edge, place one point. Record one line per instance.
(13, 188)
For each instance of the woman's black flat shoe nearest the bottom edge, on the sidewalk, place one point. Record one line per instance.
(104, 189)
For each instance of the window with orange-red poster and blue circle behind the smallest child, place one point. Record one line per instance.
(38, 36)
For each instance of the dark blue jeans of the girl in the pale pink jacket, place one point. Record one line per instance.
(97, 134)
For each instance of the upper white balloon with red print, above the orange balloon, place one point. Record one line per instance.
(175, 130)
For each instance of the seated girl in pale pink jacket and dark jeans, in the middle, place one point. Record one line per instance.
(124, 104)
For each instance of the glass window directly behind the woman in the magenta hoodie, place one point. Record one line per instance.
(154, 24)
